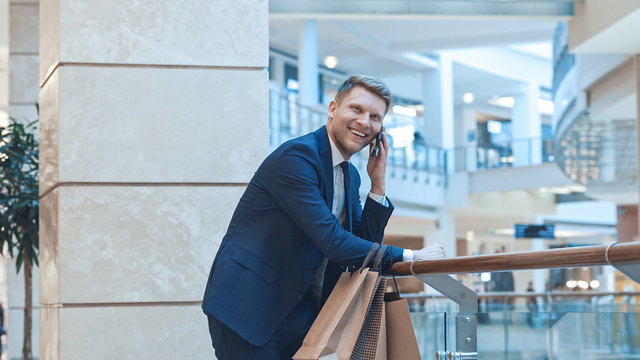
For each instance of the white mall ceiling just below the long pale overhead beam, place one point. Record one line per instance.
(376, 47)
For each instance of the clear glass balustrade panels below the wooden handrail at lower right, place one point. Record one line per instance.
(571, 329)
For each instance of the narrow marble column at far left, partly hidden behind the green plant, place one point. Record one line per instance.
(23, 94)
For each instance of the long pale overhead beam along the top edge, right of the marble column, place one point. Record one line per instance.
(420, 9)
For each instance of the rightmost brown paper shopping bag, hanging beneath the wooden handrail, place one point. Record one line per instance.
(401, 339)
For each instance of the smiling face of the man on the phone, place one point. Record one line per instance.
(355, 121)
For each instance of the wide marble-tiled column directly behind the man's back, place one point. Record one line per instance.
(154, 116)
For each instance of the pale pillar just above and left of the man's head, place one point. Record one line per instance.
(308, 63)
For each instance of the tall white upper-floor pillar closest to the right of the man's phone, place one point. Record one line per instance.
(437, 99)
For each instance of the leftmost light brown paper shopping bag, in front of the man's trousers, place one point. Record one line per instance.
(334, 332)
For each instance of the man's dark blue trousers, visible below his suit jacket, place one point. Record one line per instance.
(286, 340)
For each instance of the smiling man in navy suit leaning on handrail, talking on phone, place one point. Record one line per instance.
(296, 228)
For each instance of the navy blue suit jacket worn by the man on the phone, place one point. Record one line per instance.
(280, 231)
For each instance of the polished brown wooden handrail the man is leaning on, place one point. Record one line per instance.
(620, 253)
